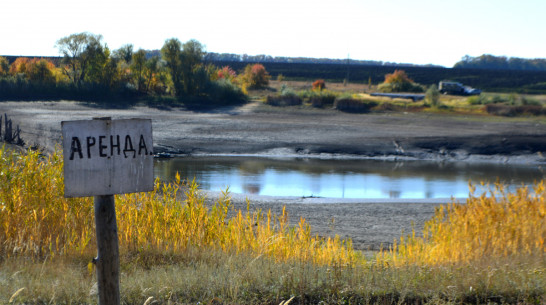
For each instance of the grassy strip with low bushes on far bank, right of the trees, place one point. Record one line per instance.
(358, 95)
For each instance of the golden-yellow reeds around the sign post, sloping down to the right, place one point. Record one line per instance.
(36, 220)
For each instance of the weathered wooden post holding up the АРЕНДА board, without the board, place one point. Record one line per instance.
(107, 260)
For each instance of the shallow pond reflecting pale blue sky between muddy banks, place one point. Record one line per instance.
(370, 179)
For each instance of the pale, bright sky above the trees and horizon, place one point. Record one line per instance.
(420, 31)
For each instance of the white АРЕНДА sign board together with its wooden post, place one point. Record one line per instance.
(103, 157)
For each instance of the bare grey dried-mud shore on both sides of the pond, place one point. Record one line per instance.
(256, 129)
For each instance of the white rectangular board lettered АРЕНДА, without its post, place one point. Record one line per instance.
(106, 157)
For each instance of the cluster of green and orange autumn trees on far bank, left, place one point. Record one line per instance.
(89, 70)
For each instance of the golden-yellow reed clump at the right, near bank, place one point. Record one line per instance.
(491, 226)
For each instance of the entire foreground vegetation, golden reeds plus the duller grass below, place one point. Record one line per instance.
(177, 250)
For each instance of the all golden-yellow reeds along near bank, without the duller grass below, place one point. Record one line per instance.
(37, 221)
